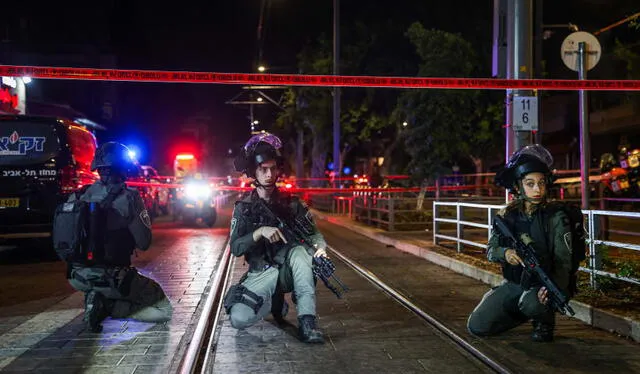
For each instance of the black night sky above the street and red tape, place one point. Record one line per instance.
(221, 36)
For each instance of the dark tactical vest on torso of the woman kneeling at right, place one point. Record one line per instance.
(535, 226)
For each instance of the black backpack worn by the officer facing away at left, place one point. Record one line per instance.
(79, 229)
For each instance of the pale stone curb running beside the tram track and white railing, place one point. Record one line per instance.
(584, 312)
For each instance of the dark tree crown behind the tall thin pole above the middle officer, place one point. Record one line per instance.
(376, 47)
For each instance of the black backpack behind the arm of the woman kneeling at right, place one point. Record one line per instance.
(578, 239)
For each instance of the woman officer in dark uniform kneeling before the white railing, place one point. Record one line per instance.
(519, 298)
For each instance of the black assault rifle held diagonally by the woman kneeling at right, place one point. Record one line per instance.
(557, 299)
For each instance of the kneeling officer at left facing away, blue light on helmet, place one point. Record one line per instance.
(112, 287)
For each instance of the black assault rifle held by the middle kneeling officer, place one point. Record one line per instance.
(298, 232)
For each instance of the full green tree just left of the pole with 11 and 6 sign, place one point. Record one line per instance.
(445, 126)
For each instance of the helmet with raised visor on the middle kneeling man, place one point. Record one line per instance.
(260, 148)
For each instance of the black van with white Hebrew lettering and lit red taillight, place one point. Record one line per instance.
(42, 160)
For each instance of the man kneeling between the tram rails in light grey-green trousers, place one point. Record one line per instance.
(276, 266)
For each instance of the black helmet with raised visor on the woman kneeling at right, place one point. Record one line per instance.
(530, 159)
